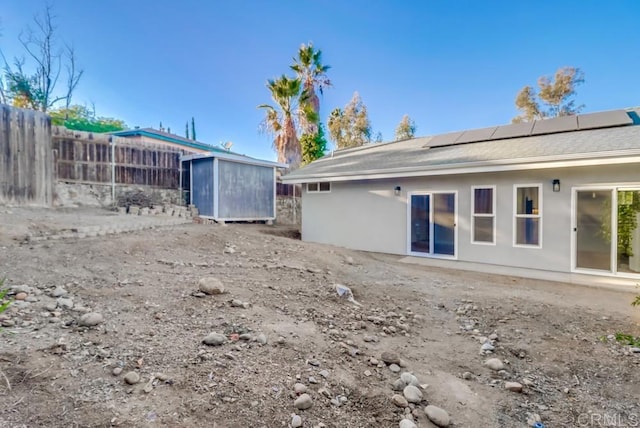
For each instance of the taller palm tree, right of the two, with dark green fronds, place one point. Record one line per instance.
(309, 69)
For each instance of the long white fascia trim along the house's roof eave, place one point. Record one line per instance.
(469, 168)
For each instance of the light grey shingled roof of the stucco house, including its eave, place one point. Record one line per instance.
(439, 155)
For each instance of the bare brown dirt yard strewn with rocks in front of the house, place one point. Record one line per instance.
(283, 329)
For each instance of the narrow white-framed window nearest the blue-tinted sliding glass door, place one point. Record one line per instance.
(483, 212)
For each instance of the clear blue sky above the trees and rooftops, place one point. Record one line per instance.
(450, 65)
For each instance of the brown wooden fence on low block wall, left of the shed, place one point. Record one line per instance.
(82, 157)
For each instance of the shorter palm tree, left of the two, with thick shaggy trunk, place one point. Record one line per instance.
(280, 121)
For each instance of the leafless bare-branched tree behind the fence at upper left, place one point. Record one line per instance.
(40, 44)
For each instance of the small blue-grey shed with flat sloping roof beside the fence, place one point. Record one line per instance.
(226, 186)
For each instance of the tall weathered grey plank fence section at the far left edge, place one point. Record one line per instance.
(26, 162)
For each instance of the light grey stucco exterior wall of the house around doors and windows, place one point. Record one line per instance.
(368, 216)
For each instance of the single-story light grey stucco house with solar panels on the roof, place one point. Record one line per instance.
(555, 199)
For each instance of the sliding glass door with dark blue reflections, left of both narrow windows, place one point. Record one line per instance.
(432, 223)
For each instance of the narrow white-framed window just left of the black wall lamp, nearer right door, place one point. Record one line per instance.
(528, 215)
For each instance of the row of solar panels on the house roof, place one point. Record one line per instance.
(606, 119)
